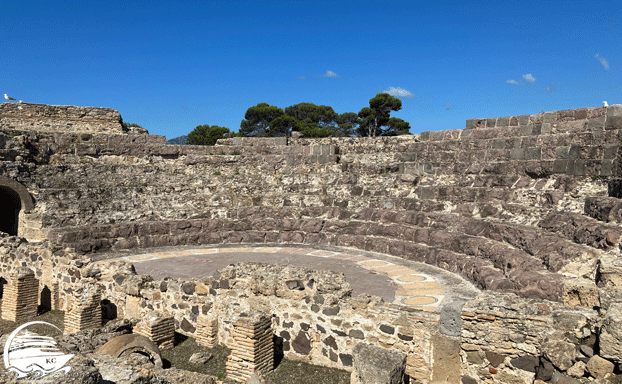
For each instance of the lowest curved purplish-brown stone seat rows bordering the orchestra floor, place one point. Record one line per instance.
(512, 250)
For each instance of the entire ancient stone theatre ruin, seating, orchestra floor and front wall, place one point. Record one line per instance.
(501, 242)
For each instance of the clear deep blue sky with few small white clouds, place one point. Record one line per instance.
(170, 66)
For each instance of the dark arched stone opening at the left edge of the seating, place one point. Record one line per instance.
(15, 199)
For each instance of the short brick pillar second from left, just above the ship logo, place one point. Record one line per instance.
(84, 311)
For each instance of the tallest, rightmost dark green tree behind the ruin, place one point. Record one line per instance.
(377, 115)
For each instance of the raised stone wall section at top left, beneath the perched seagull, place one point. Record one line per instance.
(59, 118)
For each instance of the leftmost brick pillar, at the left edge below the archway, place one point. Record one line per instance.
(20, 298)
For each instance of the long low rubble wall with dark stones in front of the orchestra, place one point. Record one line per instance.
(494, 336)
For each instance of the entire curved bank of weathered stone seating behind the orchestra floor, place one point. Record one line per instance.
(446, 198)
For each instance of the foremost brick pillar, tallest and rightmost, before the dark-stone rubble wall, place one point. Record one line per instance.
(252, 348)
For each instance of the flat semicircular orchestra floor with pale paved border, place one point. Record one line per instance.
(397, 284)
